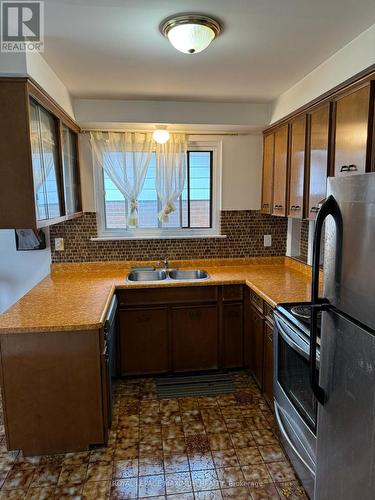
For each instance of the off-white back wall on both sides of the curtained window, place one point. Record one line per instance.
(241, 170)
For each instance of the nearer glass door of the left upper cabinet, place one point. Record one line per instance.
(50, 155)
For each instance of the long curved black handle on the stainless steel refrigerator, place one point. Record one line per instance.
(328, 207)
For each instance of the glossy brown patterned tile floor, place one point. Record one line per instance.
(205, 448)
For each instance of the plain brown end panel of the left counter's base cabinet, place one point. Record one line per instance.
(52, 391)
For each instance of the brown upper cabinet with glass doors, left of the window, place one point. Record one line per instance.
(40, 186)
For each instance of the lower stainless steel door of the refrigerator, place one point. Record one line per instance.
(346, 422)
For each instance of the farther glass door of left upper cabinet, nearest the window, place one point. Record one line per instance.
(72, 186)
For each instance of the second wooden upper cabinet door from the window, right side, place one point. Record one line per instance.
(280, 171)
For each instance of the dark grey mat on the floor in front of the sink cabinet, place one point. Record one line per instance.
(194, 385)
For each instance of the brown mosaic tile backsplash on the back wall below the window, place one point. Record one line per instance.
(244, 229)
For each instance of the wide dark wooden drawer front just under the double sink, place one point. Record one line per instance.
(170, 295)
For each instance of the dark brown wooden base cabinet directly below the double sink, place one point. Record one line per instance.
(181, 329)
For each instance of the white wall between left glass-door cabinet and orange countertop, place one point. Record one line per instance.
(19, 271)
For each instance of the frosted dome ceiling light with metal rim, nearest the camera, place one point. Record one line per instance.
(190, 33)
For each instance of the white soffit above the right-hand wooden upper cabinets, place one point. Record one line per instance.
(356, 56)
